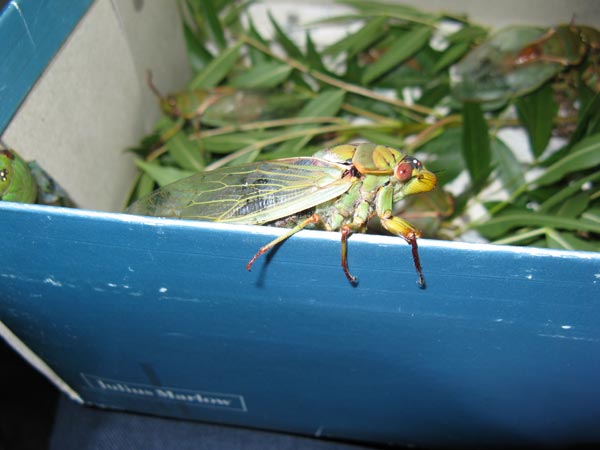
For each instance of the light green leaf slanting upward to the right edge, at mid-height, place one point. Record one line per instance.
(583, 155)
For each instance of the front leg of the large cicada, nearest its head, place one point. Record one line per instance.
(399, 227)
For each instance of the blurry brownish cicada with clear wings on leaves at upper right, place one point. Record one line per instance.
(519, 59)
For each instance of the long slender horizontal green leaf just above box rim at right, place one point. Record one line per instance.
(501, 224)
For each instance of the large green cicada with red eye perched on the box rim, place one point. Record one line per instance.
(340, 188)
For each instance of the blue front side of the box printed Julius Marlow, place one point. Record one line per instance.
(160, 316)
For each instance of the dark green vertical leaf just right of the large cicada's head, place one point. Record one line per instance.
(476, 143)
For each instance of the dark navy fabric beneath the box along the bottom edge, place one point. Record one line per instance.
(84, 428)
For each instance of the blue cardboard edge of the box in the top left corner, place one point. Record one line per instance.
(32, 33)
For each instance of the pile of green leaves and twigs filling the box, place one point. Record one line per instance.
(390, 82)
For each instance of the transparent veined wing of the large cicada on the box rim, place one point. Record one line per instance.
(253, 193)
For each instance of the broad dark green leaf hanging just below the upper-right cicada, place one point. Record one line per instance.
(537, 112)
